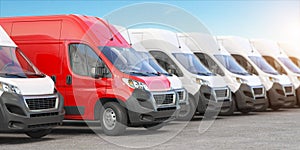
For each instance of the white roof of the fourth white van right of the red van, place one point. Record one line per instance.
(238, 45)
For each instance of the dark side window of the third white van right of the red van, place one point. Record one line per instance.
(209, 63)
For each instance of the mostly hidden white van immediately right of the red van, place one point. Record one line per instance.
(176, 84)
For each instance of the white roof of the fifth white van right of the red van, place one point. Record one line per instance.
(267, 47)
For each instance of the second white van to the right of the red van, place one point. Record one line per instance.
(207, 92)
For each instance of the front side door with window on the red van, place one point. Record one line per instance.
(82, 90)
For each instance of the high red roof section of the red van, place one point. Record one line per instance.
(63, 27)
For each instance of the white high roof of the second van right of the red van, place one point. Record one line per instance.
(164, 39)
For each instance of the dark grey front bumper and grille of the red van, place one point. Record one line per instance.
(146, 107)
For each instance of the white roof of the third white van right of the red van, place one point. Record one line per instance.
(201, 42)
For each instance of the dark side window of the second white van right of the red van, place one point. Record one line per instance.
(166, 62)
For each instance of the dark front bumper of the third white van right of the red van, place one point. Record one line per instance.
(248, 99)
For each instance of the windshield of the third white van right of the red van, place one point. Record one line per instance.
(231, 65)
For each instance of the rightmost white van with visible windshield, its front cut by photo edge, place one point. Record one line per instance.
(280, 61)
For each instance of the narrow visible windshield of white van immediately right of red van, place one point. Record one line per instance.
(147, 57)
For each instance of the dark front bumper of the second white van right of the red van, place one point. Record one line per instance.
(214, 99)
